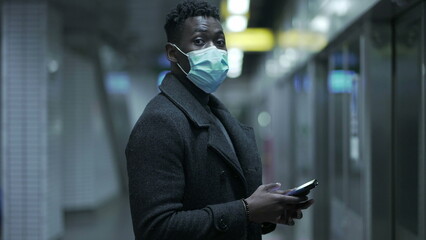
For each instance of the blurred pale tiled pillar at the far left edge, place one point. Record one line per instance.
(30, 202)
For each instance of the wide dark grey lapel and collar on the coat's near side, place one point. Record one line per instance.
(189, 105)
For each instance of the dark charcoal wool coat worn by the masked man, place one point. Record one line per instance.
(185, 181)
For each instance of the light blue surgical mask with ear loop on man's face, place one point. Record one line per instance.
(209, 67)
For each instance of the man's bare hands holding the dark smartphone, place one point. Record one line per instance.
(268, 205)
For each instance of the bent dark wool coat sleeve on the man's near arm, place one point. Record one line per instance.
(155, 157)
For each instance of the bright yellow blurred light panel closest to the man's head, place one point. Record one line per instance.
(251, 40)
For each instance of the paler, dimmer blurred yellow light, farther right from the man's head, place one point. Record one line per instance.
(294, 38)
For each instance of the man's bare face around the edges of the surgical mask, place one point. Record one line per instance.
(198, 33)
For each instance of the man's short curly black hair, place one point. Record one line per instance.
(183, 11)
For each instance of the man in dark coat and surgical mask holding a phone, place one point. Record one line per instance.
(194, 170)
